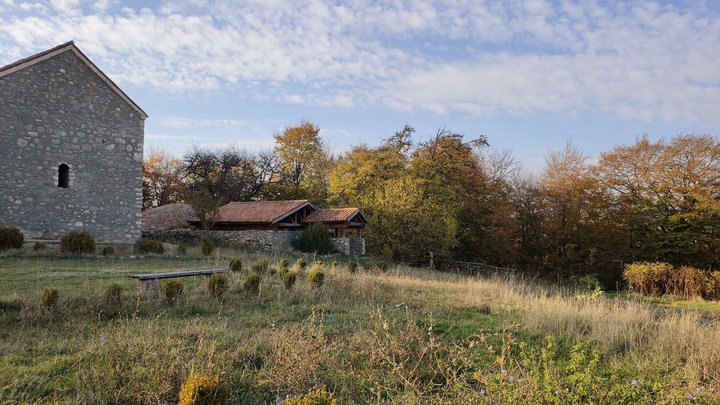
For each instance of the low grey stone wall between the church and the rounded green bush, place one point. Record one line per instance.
(266, 240)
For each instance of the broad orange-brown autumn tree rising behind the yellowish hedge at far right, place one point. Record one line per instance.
(666, 198)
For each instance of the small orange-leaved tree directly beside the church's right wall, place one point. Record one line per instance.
(163, 179)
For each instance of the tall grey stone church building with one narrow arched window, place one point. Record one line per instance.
(71, 149)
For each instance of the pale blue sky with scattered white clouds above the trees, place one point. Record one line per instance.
(529, 75)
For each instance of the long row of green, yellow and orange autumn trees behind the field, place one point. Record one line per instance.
(454, 196)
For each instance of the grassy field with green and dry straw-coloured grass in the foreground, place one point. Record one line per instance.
(401, 336)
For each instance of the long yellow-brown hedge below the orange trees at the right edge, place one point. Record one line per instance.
(664, 279)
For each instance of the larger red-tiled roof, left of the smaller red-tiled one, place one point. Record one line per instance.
(257, 212)
